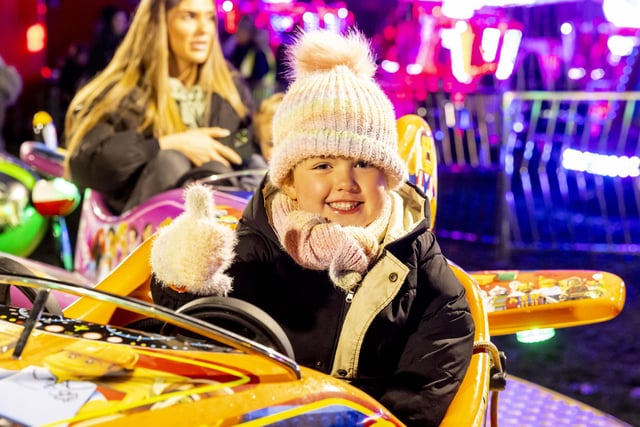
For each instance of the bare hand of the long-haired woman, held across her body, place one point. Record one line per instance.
(201, 146)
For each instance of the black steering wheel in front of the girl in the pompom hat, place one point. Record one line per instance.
(237, 316)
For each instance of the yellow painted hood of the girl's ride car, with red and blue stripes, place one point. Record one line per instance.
(84, 372)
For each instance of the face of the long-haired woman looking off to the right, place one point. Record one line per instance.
(191, 27)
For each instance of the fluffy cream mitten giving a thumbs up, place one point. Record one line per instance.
(192, 253)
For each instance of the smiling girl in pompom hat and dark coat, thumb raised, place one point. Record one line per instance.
(335, 245)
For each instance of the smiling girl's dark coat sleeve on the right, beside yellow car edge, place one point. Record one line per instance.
(437, 354)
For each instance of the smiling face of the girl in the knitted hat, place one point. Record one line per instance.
(344, 191)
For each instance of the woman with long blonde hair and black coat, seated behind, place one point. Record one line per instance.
(167, 102)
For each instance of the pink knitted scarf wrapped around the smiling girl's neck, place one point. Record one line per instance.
(315, 243)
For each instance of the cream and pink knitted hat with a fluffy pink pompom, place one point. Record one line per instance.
(334, 108)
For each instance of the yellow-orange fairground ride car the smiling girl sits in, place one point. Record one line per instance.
(224, 362)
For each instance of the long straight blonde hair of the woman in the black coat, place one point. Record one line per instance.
(142, 61)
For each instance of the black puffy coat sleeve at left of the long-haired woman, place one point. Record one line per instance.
(112, 154)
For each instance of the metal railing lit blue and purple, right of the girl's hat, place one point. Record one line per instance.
(563, 166)
